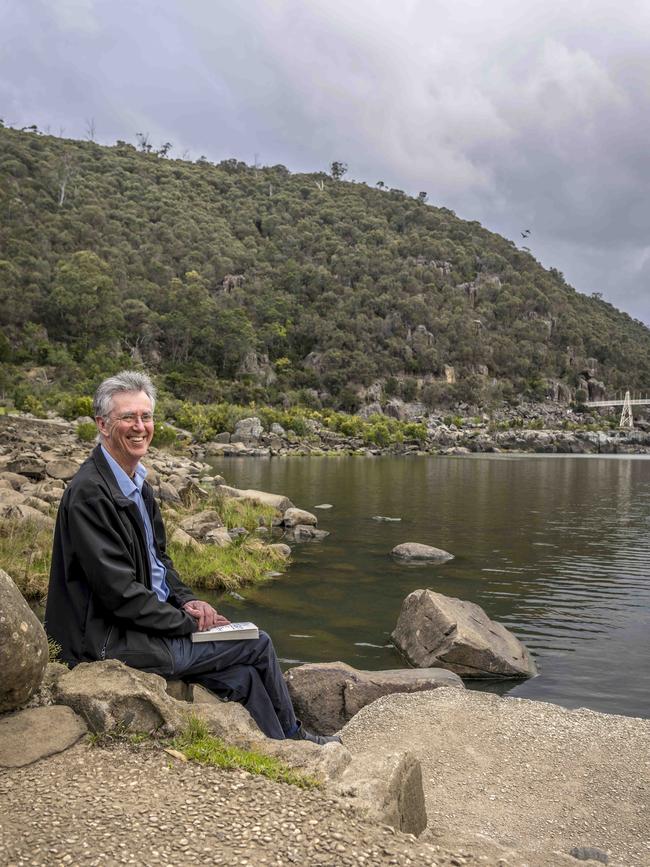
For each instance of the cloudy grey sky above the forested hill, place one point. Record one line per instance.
(530, 115)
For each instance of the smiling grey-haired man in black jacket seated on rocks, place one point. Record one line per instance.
(114, 593)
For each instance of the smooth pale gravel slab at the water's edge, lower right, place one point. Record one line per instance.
(525, 774)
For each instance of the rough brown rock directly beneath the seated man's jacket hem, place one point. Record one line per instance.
(110, 695)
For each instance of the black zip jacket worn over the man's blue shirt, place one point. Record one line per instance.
(100, 603)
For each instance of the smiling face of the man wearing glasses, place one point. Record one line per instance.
(128, 430)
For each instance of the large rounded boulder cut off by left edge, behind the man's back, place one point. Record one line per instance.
(23, 647)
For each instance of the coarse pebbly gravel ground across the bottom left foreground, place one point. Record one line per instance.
(136, 805)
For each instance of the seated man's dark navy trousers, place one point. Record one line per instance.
(246, 671)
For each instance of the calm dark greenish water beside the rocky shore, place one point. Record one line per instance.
(555, 548)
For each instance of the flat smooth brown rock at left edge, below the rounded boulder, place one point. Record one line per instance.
(36, 733)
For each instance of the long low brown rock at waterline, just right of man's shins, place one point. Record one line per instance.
(326, 695)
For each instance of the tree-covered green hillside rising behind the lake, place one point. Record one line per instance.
(235, 282)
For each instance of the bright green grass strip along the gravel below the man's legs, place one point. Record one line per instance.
(200, 746)
